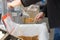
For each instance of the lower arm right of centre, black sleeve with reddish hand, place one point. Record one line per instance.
(42, 13)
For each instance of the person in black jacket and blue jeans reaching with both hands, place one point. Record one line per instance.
(53, 12)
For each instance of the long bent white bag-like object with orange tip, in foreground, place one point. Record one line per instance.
(30, 30)
